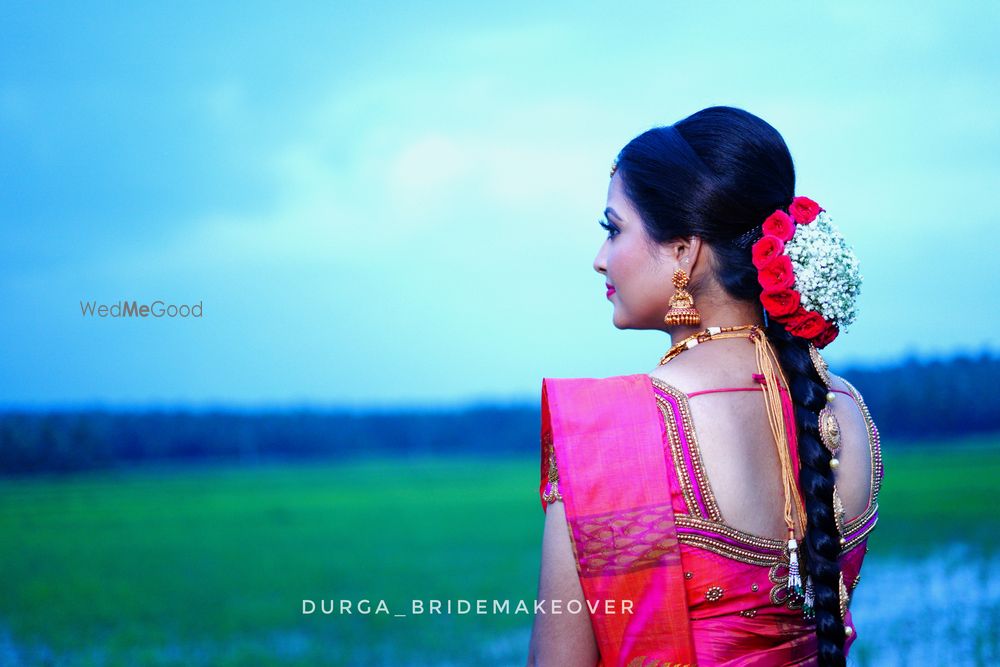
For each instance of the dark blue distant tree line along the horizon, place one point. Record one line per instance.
(912, 401)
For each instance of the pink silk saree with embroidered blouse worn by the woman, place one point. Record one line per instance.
(645, 527)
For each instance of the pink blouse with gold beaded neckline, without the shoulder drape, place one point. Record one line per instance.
(736, 581)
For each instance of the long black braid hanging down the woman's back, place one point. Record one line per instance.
(822, 541)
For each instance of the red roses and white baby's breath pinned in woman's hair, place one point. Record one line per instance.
(808, 272)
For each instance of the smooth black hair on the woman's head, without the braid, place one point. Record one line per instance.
(717, 174)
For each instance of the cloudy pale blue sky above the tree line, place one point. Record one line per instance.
(396, 203)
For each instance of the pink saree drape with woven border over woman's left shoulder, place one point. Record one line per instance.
(620, 515)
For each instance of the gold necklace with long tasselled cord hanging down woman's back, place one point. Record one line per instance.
(772, 384)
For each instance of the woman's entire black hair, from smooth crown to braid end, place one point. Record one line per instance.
(717, 174)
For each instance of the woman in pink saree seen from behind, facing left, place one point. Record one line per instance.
(688, 521)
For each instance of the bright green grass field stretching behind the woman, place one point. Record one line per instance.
(209, 566)
